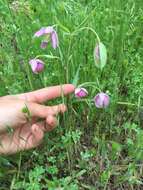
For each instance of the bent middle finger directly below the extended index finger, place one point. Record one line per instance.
(41, 111)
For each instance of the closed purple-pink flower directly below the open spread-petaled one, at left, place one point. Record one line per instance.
(36, 65)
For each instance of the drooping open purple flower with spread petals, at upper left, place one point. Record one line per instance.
(48, 32)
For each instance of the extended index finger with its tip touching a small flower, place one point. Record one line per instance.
(48, 93)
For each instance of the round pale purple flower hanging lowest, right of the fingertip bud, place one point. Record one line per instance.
(101, 100)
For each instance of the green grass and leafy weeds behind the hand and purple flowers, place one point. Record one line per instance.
(91, 148)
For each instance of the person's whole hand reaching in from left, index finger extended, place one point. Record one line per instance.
(28, 133)
